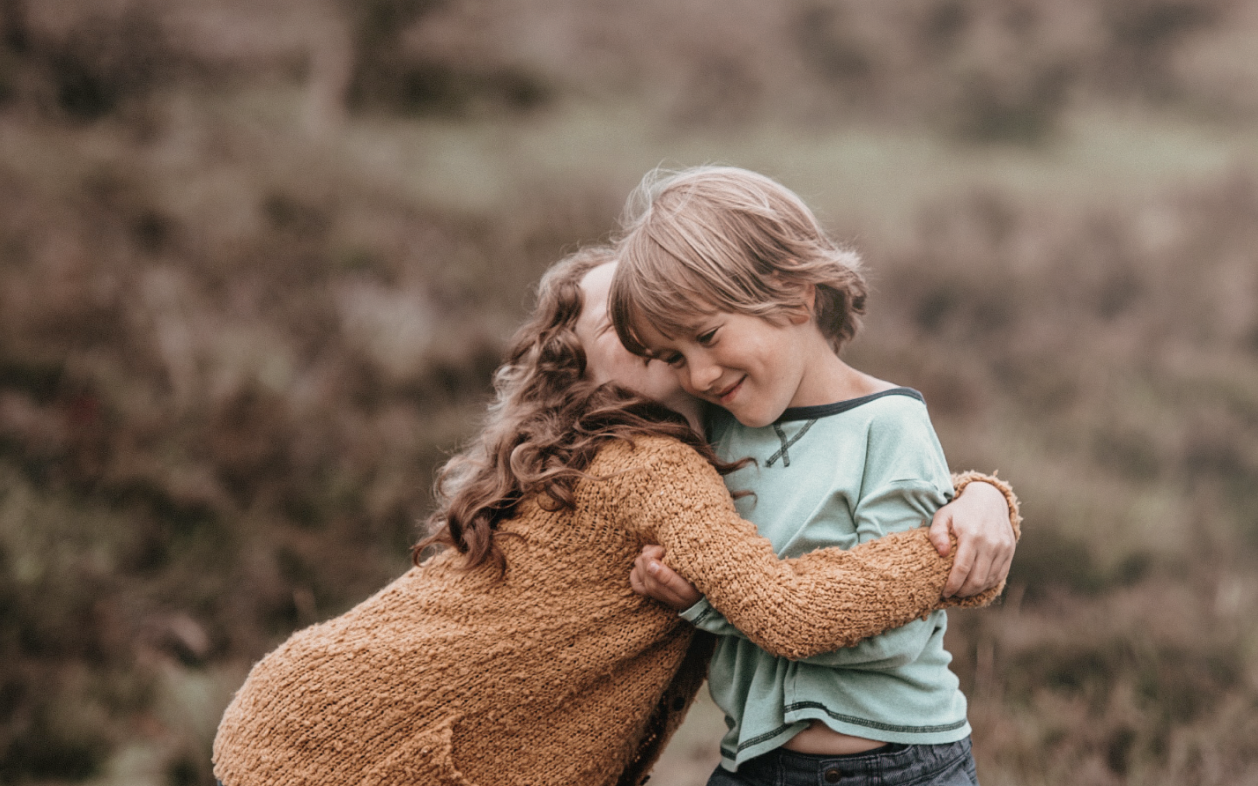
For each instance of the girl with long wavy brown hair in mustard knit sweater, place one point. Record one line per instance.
(520, 655)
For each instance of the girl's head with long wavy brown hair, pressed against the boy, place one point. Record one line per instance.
(553, 409)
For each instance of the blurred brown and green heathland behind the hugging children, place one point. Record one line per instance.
(260, 257)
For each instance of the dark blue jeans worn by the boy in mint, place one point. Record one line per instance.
(918, 765)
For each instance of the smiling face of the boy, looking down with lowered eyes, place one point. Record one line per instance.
(750, 367)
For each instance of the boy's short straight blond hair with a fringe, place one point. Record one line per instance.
(720, 238)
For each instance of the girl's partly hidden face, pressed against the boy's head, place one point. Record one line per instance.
(607, 359)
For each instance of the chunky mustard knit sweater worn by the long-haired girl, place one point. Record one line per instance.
(558, 673)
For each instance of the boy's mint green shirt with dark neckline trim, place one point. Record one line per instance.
(837, 475)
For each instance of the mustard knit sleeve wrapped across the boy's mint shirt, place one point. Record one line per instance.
(796, 608)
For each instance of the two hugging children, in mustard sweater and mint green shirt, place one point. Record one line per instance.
(518, 653)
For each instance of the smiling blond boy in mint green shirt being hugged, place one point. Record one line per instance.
(728, 279)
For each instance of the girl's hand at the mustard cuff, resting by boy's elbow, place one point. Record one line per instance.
(986, 541)
